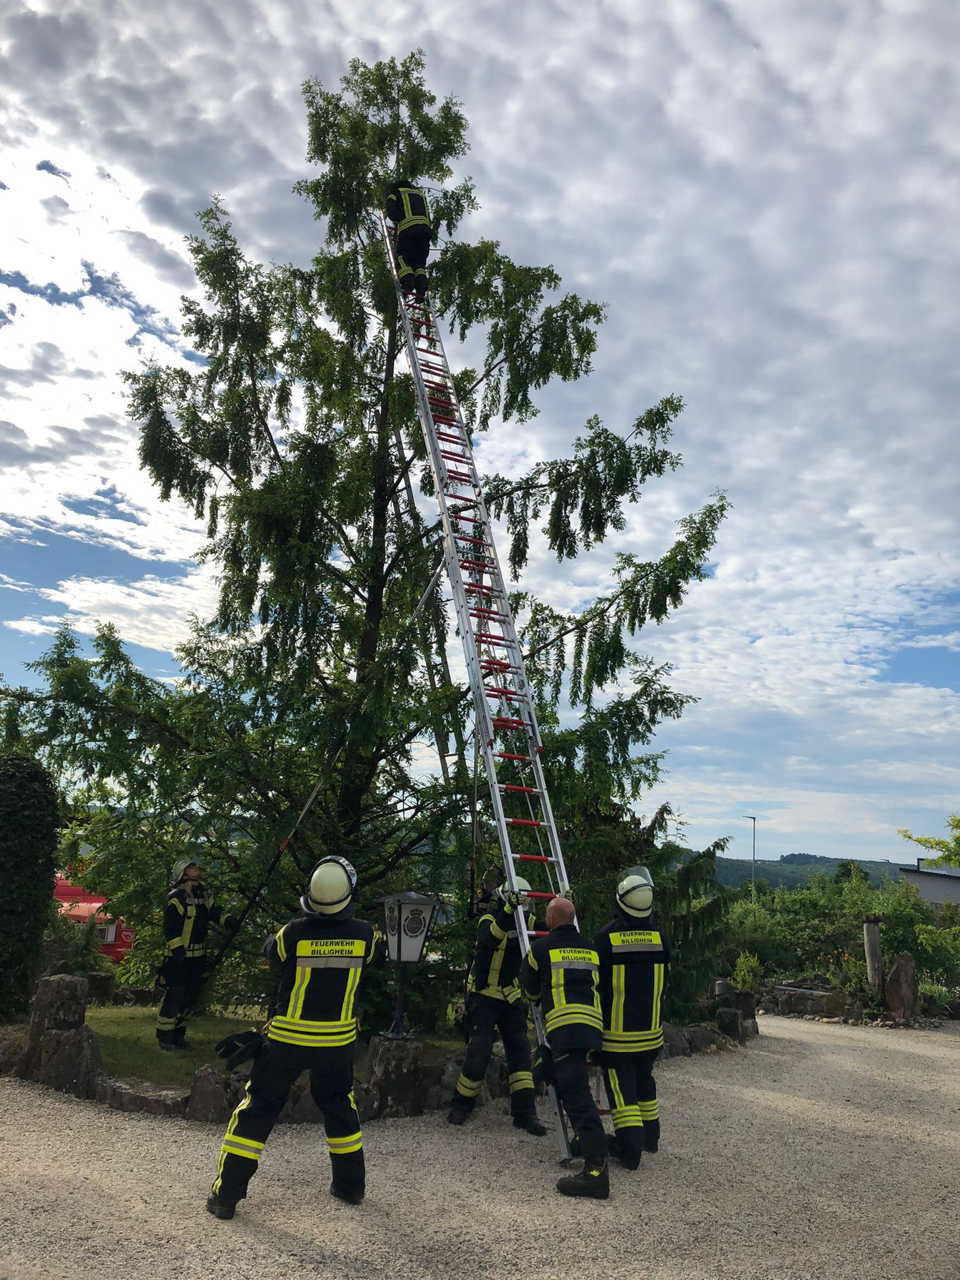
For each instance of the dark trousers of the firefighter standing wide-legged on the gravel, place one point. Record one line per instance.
(273, 1075)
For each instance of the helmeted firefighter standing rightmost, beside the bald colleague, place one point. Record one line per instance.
(634, 959)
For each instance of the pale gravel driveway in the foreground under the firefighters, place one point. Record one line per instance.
(819, 1153)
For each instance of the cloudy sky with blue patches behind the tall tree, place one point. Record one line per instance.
(766, 195)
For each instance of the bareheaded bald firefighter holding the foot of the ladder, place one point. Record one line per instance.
(561, 972)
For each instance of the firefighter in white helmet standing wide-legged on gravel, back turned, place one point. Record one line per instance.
(321, 957)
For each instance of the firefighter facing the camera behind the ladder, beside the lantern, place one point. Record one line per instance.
(495, 1003)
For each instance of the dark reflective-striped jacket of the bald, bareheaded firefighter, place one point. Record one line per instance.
(563, 972)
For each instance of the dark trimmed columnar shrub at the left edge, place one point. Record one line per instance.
(29, 821)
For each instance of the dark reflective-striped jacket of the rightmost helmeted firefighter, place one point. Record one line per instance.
(634, 959)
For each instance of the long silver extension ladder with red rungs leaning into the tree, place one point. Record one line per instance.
(505, 719)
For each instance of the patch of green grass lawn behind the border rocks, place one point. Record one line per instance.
(129, 1044)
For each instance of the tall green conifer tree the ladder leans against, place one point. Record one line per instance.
(295, 441)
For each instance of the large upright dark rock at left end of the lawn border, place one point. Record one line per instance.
(61, 1052)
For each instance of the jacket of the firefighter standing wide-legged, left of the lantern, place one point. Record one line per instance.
(321, 959)
